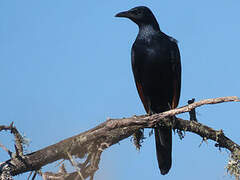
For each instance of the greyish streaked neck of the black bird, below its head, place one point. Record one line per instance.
(147, 31)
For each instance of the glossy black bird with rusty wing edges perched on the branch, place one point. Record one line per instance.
(157, 71)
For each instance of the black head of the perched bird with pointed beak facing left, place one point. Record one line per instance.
(141, 15)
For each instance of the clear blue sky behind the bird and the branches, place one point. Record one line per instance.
(65, 67)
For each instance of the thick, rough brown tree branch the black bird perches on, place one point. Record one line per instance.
(94, 141)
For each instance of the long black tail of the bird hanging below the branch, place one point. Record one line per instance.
(163, 139)
